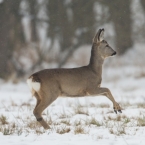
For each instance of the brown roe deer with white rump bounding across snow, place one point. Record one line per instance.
(48, 84)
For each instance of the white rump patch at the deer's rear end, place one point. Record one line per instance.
(33, 85)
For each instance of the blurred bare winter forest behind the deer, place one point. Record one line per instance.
(35, 33)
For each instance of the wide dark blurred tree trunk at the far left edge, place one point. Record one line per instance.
(11, 35)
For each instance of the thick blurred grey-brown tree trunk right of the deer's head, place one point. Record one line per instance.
(120, 14)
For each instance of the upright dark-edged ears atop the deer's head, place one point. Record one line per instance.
(99, 36)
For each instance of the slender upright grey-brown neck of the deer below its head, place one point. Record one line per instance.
(96, 61)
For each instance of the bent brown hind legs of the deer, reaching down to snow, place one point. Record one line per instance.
(41, 105)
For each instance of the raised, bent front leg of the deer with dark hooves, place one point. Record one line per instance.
(106, 92)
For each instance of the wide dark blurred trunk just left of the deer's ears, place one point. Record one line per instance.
(84, 19)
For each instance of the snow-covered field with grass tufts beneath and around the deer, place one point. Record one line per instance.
(81, 120)
